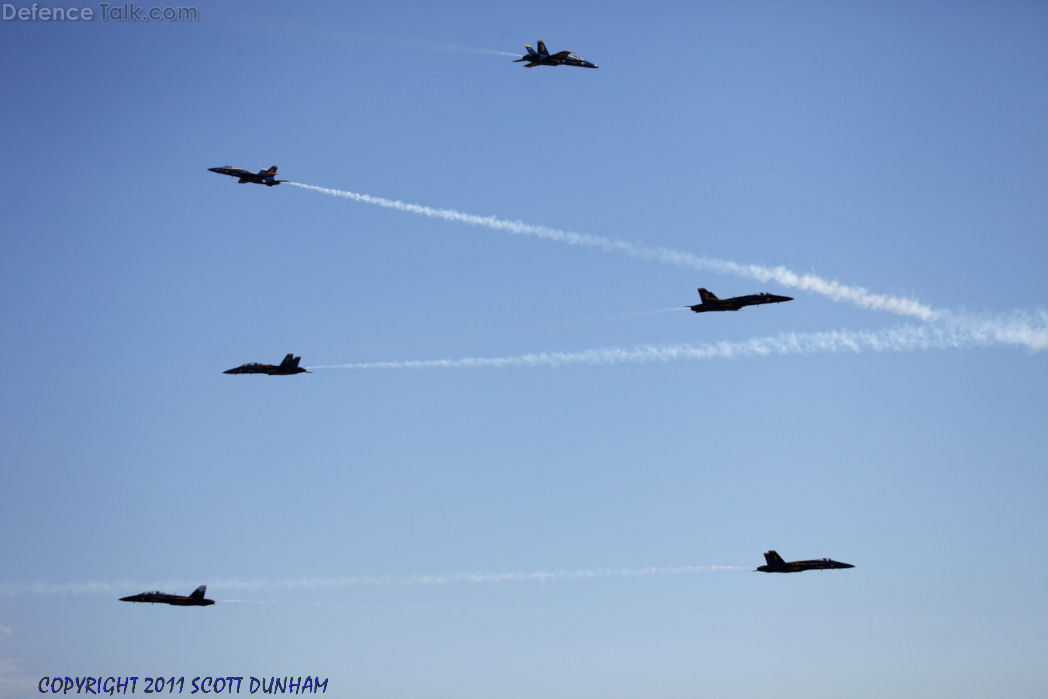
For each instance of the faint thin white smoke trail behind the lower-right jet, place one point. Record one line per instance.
(308, 583)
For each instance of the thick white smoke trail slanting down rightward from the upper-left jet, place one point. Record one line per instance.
(807, 282)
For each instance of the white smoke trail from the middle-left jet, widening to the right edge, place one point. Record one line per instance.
(1024, 330)
